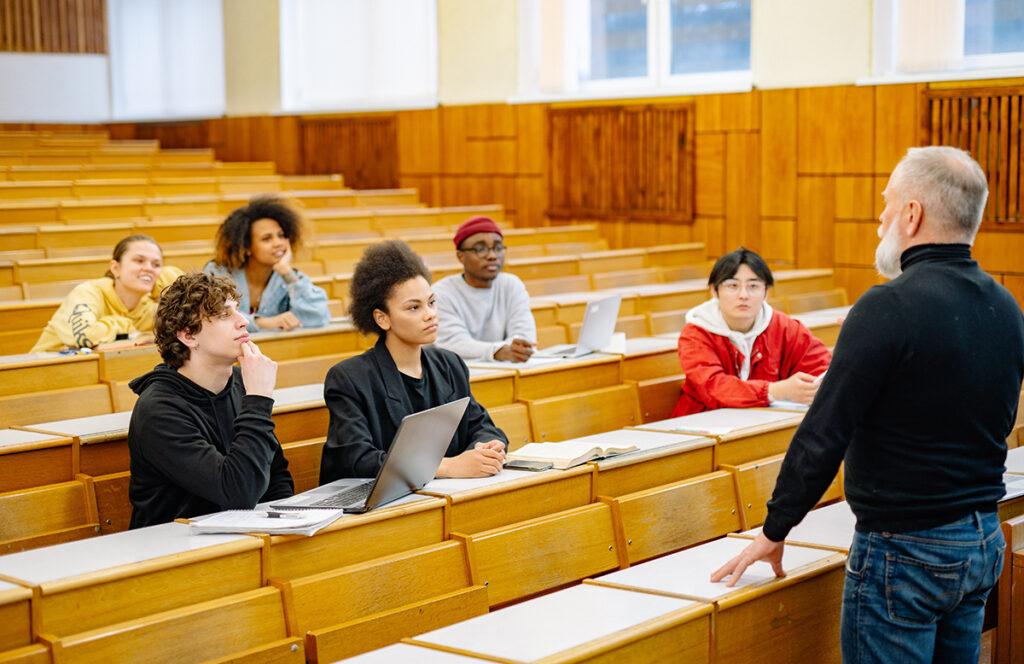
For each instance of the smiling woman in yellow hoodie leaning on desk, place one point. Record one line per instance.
(121, 304)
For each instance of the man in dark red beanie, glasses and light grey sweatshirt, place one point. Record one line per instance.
(485, 313)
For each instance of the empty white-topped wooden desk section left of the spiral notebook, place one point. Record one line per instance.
(101, 582)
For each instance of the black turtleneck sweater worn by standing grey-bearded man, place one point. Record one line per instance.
(919, 400)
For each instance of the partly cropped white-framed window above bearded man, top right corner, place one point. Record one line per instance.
(936, 39)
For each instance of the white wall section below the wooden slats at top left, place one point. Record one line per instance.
(53, 88)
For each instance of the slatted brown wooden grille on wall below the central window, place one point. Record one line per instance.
(622, 162)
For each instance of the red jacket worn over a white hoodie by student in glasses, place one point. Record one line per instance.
(712, 365)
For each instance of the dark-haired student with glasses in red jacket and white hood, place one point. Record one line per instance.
(737, 352)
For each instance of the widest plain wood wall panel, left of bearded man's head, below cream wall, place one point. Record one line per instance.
(836, 131)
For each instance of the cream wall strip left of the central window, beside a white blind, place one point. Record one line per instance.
(479, 51)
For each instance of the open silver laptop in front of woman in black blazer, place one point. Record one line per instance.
(416, 454)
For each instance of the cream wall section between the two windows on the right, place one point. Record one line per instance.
(800, 44)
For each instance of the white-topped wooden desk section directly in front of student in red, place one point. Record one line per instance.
(742, 435)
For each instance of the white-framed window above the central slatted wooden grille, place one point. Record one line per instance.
(621, 48)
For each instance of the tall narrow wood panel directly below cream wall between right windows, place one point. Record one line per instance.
(779, 153)
